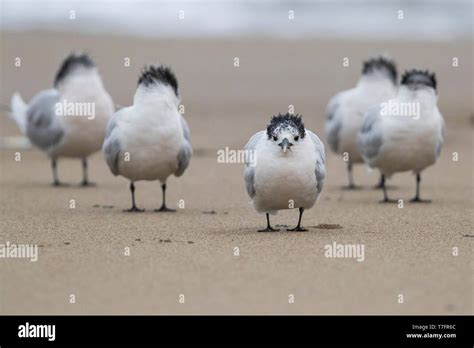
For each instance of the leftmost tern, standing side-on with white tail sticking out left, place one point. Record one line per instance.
(70, 119)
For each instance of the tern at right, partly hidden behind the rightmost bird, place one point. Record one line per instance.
(345, 111)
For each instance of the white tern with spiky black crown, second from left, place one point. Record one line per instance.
(149, 140)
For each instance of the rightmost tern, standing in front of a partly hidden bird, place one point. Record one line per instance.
(398, 141)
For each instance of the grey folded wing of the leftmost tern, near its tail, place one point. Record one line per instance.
(43, 127)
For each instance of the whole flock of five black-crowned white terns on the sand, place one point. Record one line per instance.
(150, 140)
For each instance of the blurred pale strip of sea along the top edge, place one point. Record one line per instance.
(346, 19)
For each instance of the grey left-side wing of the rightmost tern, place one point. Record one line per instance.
(370, 137)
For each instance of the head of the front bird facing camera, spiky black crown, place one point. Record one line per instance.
(286, 131)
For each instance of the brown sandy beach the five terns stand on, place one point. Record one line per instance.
(408, 251)
